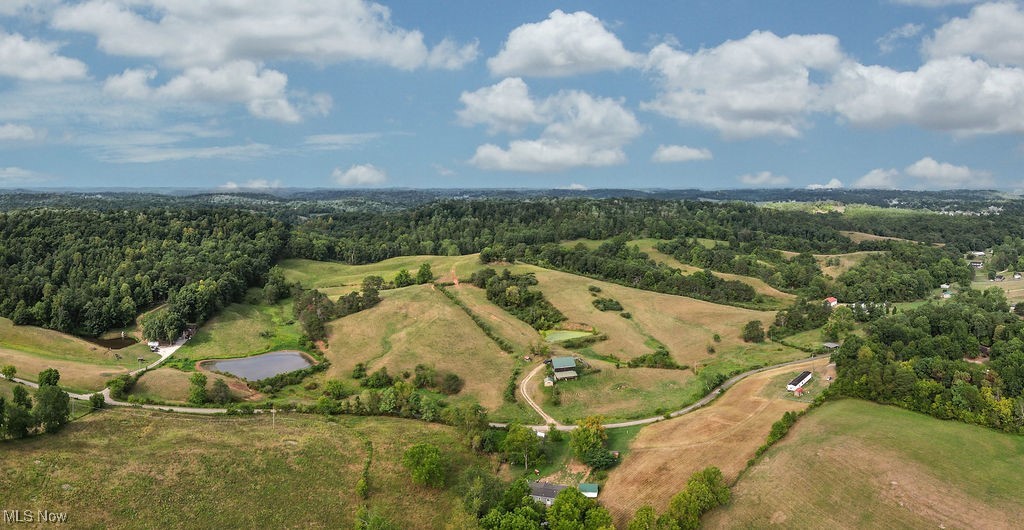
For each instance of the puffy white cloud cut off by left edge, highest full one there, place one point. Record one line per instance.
(36, 61)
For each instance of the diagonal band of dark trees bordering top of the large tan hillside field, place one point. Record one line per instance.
(620, 263)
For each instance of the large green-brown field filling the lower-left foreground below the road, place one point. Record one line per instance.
(134, 469)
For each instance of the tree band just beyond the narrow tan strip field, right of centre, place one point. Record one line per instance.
(748, 259)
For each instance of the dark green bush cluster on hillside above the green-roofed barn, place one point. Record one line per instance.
(513, 293)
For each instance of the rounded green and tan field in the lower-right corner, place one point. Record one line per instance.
(859, 465)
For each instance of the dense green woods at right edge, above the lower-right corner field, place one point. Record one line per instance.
(916, 360)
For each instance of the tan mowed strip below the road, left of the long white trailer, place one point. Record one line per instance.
(727, 433)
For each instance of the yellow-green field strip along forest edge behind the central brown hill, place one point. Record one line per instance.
(336, 280)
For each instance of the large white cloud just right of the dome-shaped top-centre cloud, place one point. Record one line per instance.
(757, 86)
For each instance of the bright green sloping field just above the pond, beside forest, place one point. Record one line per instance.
(244, 330)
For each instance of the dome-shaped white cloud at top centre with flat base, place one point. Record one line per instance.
(565, 45)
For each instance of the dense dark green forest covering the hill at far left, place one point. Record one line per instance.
(87, 272)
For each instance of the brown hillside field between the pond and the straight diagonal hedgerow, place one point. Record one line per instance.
(418, 325)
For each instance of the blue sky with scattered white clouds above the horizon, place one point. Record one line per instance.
(915, 95)
